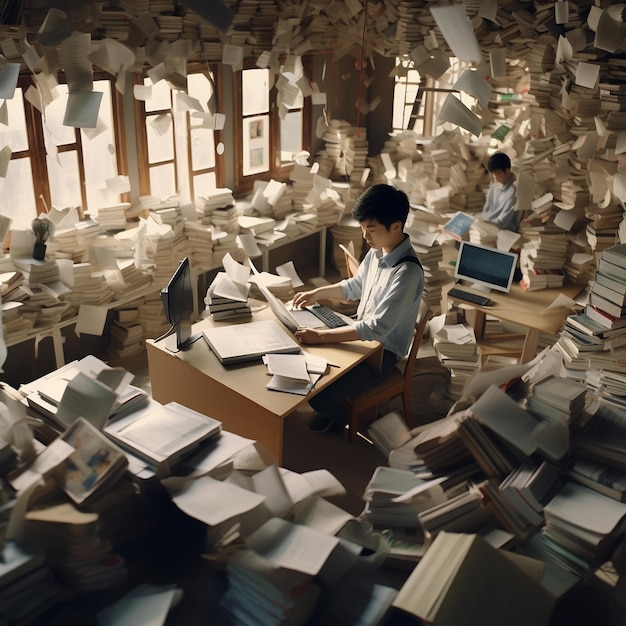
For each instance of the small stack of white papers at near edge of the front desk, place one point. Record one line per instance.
(294, 373)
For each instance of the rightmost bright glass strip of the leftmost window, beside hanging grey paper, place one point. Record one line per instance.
(99, 154)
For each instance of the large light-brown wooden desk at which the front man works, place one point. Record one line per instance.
(236, 394)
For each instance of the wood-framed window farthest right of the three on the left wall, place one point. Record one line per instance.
(272, 122)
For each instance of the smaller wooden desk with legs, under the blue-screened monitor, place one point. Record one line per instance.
(524, 308)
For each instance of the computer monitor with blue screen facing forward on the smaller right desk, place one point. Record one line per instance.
(487, 268)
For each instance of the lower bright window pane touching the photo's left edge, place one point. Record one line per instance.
(18, 197)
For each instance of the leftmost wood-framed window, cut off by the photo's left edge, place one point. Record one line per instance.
(56, 165)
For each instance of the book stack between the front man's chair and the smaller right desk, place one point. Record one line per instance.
(457, 350)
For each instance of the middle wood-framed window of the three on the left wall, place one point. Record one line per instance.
(180, 146)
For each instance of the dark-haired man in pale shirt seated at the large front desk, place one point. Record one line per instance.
(389, 285)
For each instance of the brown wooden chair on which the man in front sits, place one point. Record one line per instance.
(365, 404)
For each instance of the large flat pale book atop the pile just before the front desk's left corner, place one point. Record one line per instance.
(163, 433)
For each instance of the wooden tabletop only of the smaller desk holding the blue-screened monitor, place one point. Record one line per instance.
(526, 308)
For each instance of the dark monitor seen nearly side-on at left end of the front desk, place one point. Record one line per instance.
(177, 300)
